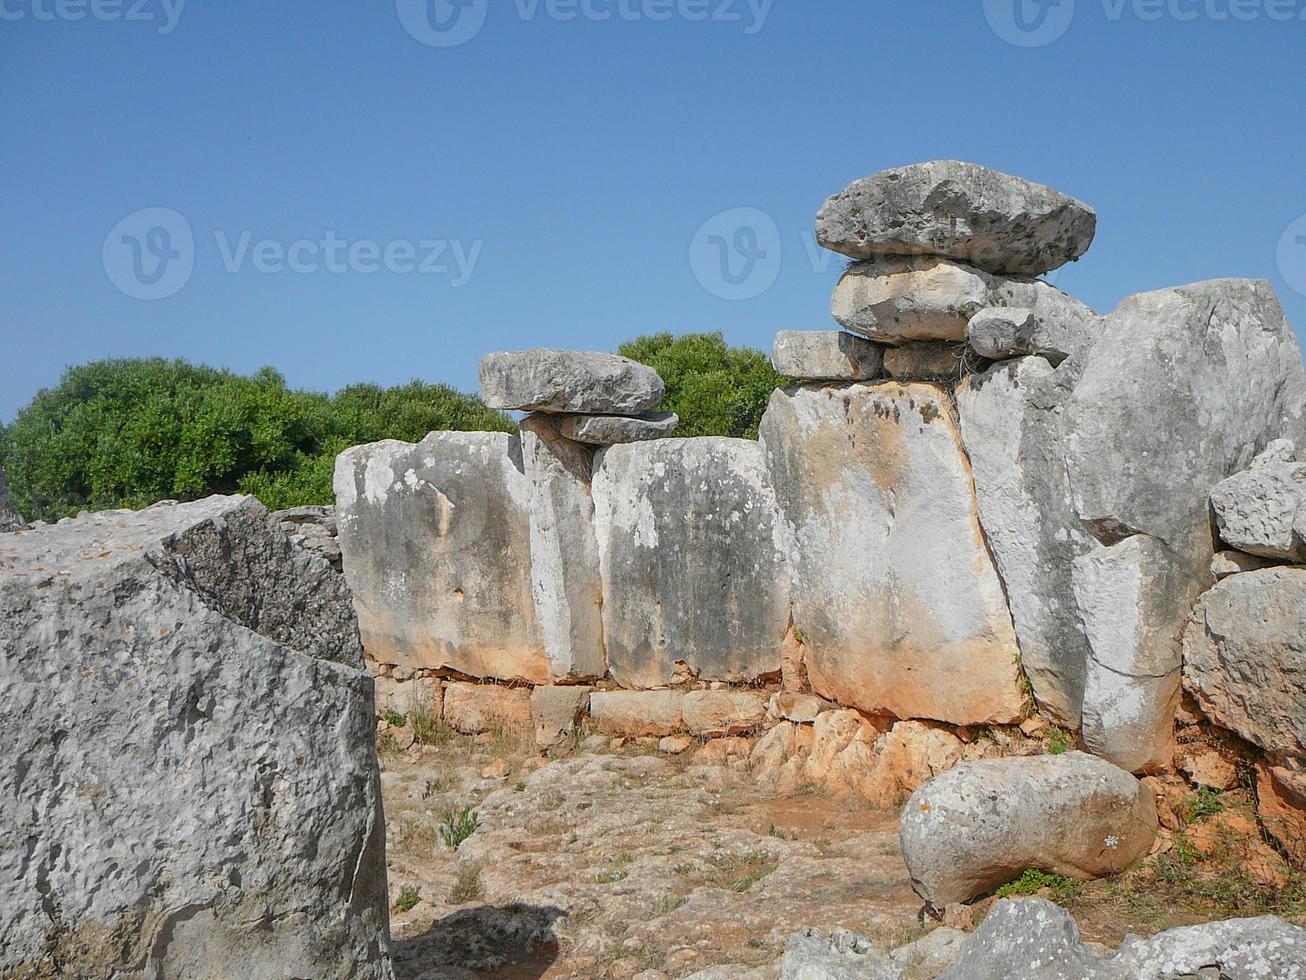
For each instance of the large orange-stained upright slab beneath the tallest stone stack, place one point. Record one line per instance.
(895, 596)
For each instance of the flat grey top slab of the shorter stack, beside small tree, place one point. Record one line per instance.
(570, 381)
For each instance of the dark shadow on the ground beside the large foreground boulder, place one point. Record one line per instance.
(515, 943)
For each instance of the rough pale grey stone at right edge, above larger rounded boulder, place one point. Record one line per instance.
(1257, 510)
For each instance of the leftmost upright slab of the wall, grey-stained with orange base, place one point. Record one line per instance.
(437, 548)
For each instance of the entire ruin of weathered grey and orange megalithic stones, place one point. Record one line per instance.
(980, 506)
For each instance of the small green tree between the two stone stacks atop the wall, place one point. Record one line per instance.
(715, 389)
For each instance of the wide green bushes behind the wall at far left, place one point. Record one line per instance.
(126, 433)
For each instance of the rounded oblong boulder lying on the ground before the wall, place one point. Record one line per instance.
(983, 824)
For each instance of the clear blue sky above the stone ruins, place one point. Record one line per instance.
(577, 167)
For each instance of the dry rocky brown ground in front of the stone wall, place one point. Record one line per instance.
(600, 863)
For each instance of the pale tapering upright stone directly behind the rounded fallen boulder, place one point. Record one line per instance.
(1134, 600)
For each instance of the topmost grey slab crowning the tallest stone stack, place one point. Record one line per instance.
(962, 211)
